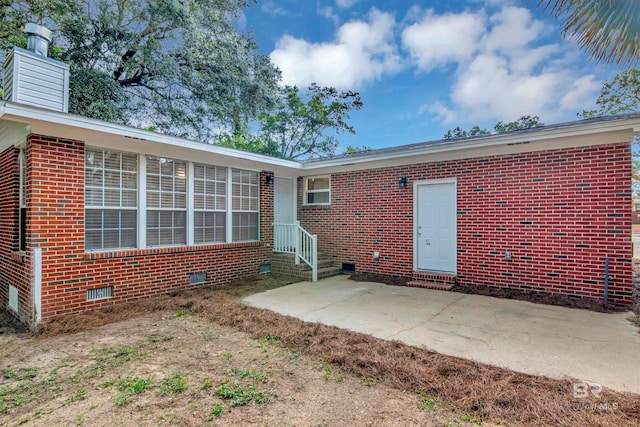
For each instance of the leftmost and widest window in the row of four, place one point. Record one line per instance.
(111, 199)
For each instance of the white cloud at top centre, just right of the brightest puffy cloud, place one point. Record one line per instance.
(437, 40)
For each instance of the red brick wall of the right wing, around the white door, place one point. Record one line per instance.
(561, 213)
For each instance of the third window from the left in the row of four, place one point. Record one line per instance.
(210, 203)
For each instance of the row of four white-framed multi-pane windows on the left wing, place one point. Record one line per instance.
(178, 202)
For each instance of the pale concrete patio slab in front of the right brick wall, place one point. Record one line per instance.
(531, 338)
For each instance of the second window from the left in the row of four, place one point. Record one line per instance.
(166, 202)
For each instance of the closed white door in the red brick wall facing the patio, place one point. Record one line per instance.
(435, 227)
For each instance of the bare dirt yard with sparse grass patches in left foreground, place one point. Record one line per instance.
(177, 368)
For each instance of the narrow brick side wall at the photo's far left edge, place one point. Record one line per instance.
(14, 266)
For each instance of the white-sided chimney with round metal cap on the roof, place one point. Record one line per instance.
(31, 78)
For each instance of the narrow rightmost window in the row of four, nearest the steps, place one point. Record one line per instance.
(245, 209)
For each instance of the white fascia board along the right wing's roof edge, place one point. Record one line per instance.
(525, 139)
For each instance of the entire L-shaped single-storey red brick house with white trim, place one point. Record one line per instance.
(94, 213)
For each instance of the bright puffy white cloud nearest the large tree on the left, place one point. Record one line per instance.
(362, 52)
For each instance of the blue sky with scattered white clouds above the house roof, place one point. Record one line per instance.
(425, 67)
